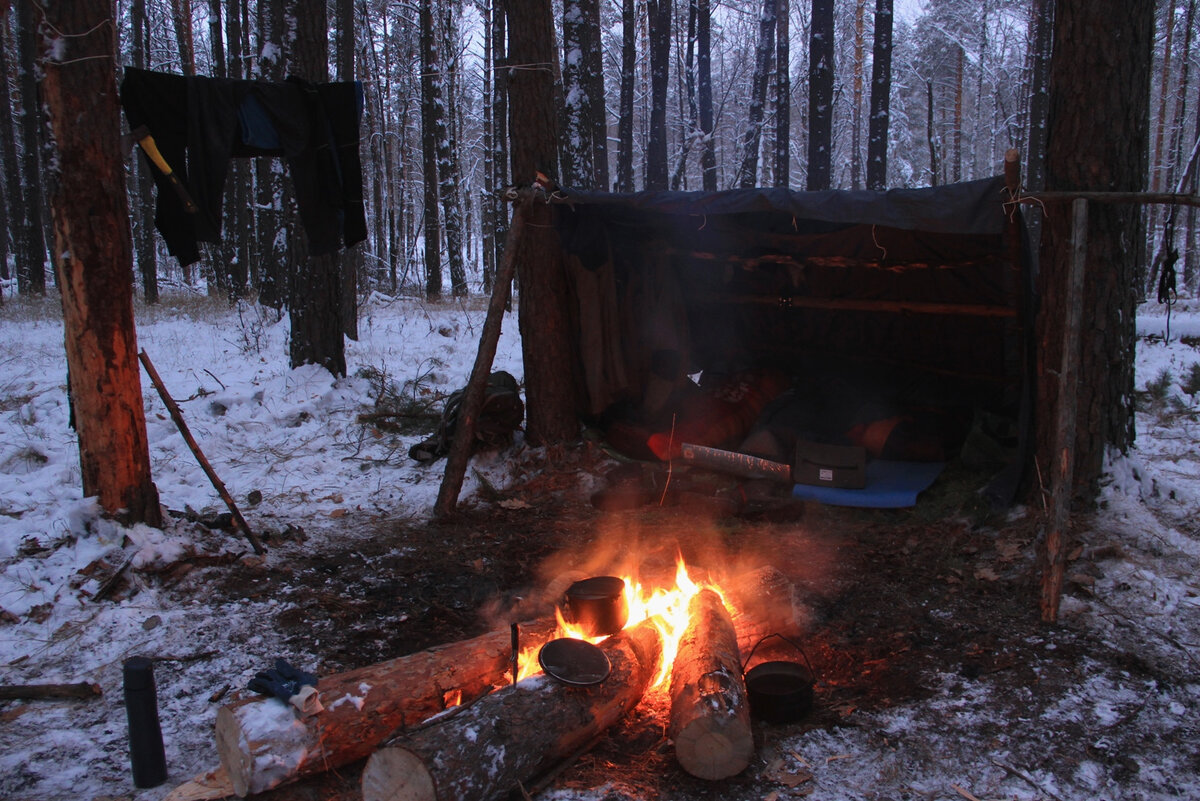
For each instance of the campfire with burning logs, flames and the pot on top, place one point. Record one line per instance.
(479, 718)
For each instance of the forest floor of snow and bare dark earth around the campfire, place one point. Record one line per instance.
(935, 678)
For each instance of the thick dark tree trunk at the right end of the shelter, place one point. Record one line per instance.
(1111, 39)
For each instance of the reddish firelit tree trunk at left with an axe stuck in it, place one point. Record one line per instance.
(95, 262)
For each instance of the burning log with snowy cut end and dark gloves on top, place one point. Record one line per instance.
(263, 744)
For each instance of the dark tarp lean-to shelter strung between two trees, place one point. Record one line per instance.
(868, 302)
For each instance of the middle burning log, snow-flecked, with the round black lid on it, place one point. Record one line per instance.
(514, 734)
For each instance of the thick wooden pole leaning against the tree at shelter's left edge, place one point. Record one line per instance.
(473, 400)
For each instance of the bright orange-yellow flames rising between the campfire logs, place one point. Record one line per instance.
(667, 606)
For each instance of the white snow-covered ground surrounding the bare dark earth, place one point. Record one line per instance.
(289, 445)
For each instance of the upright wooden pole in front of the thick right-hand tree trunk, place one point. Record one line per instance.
(1055, 549)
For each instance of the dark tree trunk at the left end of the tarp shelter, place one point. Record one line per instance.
(542, 280)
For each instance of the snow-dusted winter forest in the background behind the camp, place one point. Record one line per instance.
(652, 95)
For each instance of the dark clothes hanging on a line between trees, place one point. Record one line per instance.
(200, 124)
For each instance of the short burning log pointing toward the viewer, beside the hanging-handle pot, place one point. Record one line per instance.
(710, 713)
